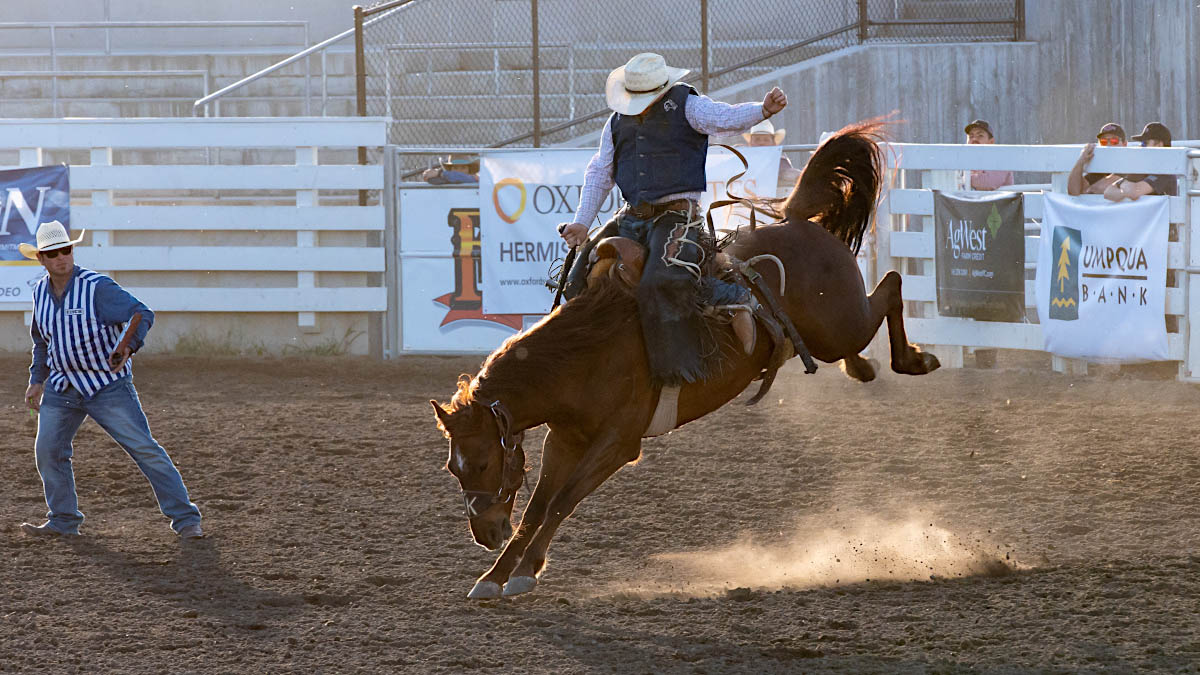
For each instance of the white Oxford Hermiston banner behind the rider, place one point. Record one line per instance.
(525, 195)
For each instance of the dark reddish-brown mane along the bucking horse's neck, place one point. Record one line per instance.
(569, 334)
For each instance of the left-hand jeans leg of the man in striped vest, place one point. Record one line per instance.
(58, 421)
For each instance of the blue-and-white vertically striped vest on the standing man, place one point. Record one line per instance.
(79, 344)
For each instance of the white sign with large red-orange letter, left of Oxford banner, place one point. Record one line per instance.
(441, 283)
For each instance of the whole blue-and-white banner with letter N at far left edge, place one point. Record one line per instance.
(31, 198)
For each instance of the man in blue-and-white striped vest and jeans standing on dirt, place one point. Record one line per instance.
(80, 319)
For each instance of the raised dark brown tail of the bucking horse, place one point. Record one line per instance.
(841, 186)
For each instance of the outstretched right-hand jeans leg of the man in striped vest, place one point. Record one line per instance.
(118, 410)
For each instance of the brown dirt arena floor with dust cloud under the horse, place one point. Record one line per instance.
(1006, 521)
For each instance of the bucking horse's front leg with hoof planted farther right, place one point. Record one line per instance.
(597, 467)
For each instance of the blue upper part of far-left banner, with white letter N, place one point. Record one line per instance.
(31, 198)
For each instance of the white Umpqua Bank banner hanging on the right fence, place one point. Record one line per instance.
(1102, 279)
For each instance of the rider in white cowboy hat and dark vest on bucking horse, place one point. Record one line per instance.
(655, 147)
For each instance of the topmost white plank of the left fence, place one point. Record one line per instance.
(194, 133)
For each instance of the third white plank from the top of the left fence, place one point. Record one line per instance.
(229, 218)
